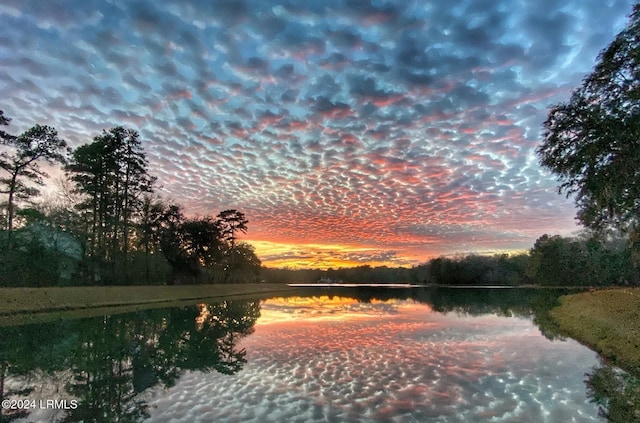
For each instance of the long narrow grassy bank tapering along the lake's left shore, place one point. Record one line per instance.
(16, 303)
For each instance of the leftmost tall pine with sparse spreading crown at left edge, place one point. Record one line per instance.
(38, 144)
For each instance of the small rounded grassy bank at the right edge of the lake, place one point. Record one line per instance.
(605, 320)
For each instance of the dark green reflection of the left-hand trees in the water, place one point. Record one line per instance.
(115, 358)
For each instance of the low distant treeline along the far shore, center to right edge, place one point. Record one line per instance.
(553, 261)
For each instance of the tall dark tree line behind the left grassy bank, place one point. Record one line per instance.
(111, 228)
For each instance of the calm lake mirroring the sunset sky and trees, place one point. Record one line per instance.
(338, 355)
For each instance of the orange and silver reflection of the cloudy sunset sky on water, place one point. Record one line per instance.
(336, 359)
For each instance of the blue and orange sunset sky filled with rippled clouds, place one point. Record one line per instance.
(348, 132)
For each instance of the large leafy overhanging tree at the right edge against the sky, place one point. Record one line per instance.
(592, 142)
